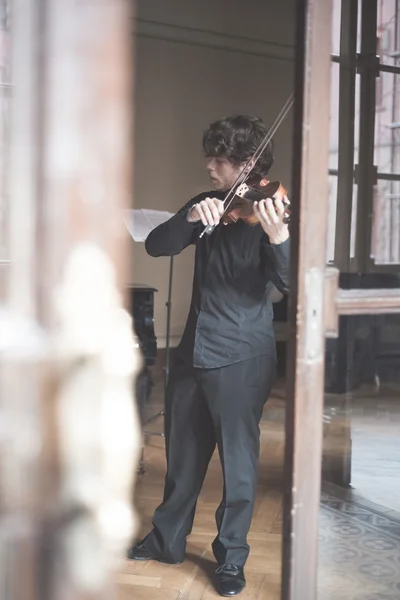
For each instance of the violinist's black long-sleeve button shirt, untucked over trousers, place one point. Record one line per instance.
(230, 316)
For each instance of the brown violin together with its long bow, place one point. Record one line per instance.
(238, 202)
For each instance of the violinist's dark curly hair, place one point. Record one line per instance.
(236, 138)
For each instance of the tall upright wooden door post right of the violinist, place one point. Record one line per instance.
(305, 373)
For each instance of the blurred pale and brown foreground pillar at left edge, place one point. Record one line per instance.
(69, 434)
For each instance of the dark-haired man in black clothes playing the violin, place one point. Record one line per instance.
(225, 364)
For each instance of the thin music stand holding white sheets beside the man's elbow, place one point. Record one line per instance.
(139, 223)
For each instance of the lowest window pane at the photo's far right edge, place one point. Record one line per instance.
(385, 242)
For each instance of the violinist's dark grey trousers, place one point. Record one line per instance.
(206, 408)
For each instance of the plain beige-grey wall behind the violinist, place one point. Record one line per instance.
(196, 62)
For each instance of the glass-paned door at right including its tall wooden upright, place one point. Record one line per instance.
(317, 563)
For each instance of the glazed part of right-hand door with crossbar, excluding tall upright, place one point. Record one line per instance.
(359, 530)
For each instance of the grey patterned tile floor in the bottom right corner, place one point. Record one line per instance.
(359, 553)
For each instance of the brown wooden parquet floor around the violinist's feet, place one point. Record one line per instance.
(194, 579)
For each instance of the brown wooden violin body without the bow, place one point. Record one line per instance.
(245, 195)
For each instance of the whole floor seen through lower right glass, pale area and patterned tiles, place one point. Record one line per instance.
(360, 526)
